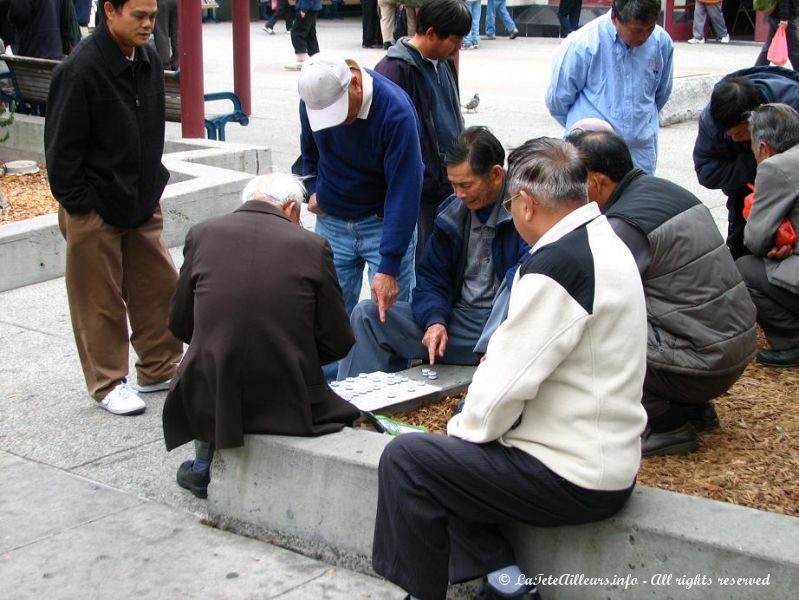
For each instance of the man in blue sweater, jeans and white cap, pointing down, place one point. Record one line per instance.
(360, 145)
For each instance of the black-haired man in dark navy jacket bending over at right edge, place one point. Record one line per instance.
(723, 154)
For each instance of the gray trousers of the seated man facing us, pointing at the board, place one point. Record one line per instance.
(389, 346)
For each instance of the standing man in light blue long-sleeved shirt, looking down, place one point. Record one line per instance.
(617, 68)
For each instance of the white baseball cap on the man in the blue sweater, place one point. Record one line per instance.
(324, 87)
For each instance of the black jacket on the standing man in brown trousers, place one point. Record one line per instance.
(104, 132)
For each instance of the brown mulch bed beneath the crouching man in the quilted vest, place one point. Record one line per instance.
(751, 460)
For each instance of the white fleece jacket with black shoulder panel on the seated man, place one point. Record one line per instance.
(569, 360)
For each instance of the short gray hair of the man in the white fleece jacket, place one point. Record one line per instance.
(549, 169)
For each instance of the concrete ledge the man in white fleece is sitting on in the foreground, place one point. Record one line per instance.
(318, 496)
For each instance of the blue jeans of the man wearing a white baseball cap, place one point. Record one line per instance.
(355, 243)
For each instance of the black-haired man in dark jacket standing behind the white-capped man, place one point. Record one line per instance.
(422, 65)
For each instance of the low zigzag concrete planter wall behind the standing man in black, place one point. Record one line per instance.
(206, 179)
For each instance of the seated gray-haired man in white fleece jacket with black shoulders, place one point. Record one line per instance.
(550, 429)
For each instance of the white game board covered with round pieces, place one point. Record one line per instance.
(373, 391)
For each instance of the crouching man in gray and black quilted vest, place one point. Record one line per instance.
(700, 318)
